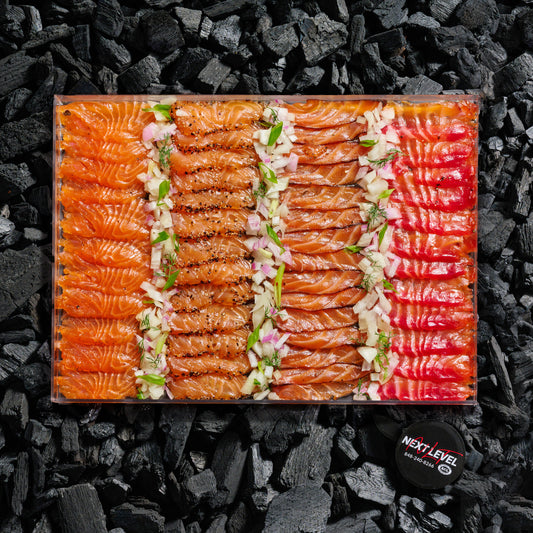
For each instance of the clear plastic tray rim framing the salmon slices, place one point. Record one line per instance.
(57, 235)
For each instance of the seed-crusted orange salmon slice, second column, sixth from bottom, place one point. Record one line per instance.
(218, 273)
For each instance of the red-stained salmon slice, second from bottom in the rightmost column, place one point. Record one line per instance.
(436, 367)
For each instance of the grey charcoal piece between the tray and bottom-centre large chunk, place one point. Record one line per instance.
(308, 462)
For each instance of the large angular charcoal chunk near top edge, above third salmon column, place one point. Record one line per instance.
(321, 36)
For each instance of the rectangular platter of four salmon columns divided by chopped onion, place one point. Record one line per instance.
(265, 249)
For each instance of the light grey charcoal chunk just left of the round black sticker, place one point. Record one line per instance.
(371, 482)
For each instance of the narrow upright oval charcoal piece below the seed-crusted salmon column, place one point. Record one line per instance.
(228, 465)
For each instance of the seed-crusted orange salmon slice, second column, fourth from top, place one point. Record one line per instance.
(228, 179)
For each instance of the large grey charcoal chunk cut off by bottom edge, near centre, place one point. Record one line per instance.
(299, 510)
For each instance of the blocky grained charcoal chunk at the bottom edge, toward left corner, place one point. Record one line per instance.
(80, 509)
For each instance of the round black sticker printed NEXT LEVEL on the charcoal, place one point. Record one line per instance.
(430, 454)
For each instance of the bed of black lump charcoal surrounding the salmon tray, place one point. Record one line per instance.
(92, 468)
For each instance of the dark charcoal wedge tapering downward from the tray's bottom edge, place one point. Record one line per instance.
(176, 424)
